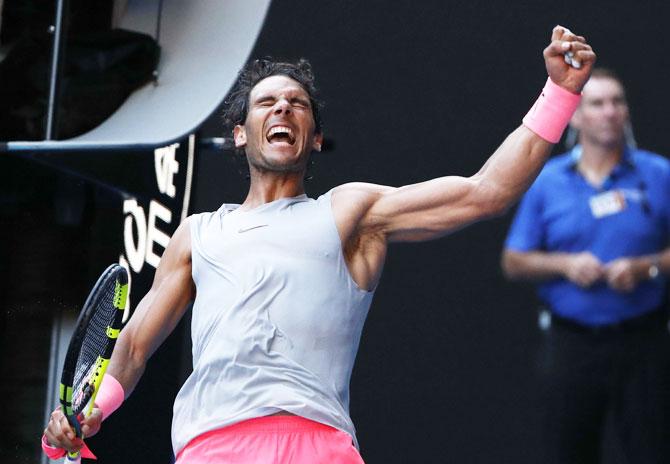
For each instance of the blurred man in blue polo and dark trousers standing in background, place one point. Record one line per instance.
(593, 229)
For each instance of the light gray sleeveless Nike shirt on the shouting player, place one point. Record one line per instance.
(276, 321)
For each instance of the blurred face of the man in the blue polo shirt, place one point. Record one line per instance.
(602, 114)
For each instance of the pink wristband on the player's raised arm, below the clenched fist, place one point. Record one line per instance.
(552, 111)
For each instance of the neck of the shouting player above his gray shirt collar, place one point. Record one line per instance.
(267, 186)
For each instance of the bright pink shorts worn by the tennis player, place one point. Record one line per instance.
(272, 440)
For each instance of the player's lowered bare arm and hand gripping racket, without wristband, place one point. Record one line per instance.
(154, 318)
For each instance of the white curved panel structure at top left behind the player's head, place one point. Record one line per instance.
(204, 43)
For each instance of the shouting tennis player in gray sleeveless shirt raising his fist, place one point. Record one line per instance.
(282, 283)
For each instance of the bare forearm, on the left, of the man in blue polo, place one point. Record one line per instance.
(534, 266)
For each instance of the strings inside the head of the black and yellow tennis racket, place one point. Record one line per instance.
(94, 342)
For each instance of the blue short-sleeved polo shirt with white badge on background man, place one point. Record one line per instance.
(629, 215)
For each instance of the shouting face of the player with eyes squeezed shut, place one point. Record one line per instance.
(279, 132)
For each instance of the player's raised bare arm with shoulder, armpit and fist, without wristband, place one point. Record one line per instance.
(369, 216)
